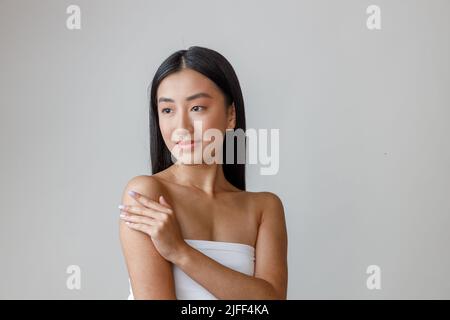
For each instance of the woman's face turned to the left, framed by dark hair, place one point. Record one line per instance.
(188, 103)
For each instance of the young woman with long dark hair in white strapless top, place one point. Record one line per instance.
(191, 230)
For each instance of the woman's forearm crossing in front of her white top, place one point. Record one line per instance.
(221, 281)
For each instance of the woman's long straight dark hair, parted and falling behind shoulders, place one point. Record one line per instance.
(214, 66)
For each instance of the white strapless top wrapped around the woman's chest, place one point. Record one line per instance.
(236, 256)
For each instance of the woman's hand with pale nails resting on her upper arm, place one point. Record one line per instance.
(158, 221)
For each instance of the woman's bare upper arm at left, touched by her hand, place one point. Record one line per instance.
(150, 274)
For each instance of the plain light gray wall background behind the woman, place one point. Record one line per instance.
(364, 160)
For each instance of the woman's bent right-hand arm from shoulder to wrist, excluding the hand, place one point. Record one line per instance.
(270, 279)
